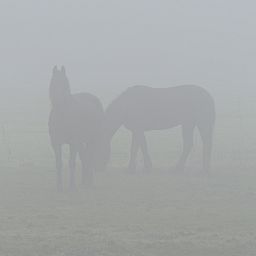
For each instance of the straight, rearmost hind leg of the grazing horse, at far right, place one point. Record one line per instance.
(206, 132)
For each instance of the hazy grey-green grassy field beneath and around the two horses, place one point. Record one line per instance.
(136, 215)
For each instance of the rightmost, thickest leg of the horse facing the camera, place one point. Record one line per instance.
(86, 161)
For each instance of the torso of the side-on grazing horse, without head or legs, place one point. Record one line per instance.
(161, 108)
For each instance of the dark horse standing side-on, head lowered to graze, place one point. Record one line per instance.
(142, 108)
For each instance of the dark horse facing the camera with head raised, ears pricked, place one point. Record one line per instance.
(76, 120)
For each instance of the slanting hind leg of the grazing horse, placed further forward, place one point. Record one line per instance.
(187, 134)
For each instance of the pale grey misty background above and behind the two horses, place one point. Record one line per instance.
(107, 46)
